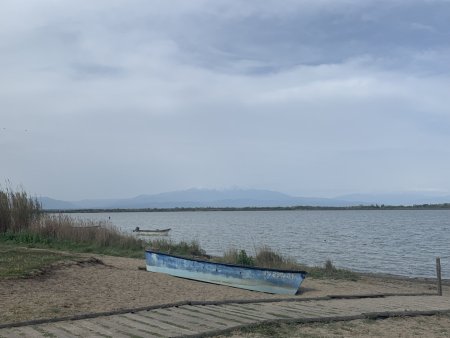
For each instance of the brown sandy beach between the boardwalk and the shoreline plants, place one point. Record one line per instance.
(118, 283)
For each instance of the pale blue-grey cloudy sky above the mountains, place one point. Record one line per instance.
(116, 98)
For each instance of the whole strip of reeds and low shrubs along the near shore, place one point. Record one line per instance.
(24, 224)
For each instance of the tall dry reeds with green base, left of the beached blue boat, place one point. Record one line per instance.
(22, 221)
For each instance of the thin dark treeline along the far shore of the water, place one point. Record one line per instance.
(300, 207)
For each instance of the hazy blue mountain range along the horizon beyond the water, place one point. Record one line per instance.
(239, 198)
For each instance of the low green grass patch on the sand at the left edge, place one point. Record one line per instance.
(16, 262)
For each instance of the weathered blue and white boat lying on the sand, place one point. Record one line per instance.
(250, 278)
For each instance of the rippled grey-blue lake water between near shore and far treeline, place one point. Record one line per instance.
(396, 242)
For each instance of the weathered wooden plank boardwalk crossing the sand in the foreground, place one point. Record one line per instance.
(212, 319)
